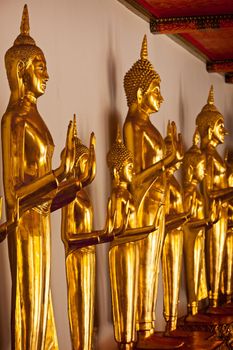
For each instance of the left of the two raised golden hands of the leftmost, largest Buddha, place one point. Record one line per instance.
(67, 155)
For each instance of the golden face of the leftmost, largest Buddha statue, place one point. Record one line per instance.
(36, 76)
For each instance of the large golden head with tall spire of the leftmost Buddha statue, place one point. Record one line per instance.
(25, 64)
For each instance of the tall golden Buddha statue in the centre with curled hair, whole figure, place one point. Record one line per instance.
(142, 88)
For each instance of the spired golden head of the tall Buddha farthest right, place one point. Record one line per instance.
(210, 123)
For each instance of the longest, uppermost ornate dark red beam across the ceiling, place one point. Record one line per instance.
(176, 25)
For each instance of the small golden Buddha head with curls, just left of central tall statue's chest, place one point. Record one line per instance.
(120, 161)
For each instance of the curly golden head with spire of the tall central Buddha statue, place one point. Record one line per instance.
(142, 84)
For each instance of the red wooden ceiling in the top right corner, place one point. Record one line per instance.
(213, 44)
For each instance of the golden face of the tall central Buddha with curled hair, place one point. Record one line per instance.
(152, 99)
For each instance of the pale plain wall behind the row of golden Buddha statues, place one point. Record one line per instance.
(89, 45)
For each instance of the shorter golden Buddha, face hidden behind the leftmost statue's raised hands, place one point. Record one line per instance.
(77, 218)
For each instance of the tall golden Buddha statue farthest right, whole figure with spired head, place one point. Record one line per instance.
(210, 124)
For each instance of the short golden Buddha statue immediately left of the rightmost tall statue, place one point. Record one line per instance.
(194, 229)
